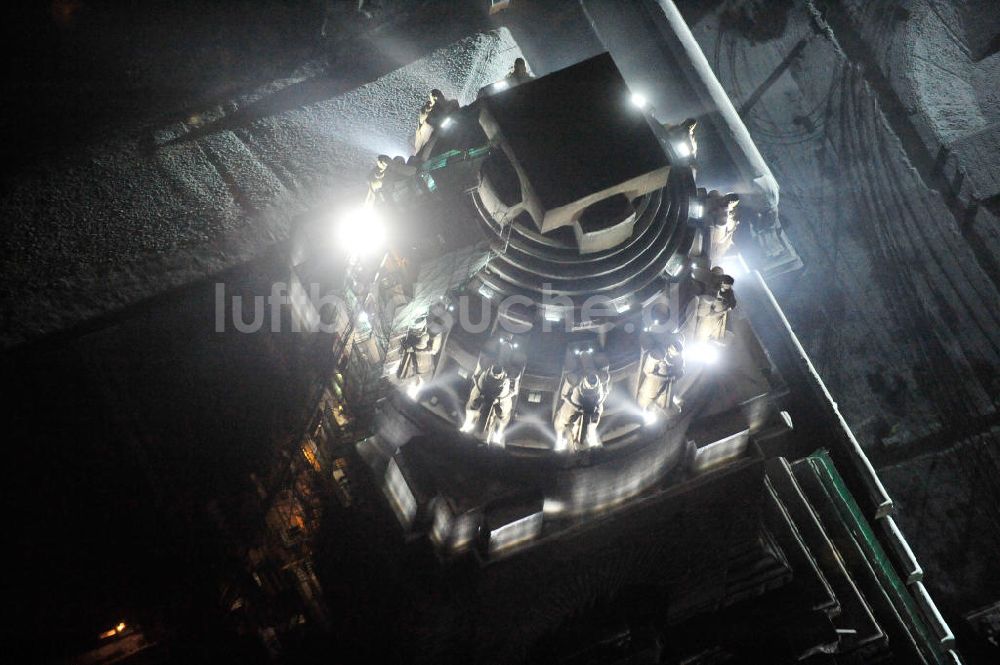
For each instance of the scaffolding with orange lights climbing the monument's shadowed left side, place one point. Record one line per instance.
(311, 470)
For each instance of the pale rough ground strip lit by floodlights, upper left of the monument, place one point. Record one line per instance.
(145, 212)
